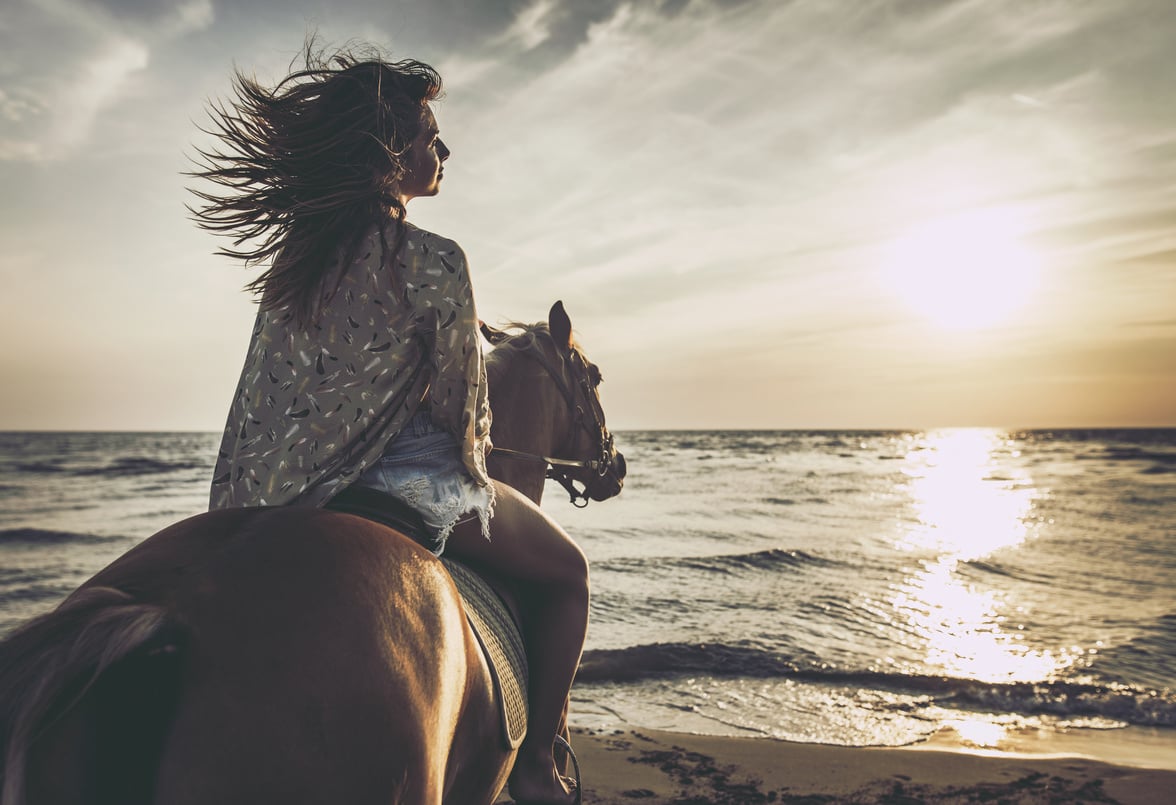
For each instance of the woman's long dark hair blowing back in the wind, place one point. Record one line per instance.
(304, 170)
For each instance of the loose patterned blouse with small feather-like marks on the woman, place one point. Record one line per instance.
(316, 407)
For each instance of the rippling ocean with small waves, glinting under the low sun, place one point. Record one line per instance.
(854, 588)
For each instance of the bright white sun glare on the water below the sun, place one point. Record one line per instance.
(968, 500)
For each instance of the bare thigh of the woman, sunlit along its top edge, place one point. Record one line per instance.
(525, 544)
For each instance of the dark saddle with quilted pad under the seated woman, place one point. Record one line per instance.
(498, 633)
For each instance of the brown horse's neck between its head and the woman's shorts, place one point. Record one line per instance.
(529, 418)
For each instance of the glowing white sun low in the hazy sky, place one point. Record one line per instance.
(965, 272)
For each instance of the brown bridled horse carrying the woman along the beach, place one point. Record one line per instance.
(290, 655)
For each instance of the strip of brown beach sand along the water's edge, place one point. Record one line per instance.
(654, 768)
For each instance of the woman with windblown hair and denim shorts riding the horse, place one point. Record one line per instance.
(366, 365)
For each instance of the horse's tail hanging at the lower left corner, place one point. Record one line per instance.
(50, 666)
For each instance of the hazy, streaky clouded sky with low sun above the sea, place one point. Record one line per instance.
(758, 213)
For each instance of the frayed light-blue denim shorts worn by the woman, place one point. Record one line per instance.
(423, 467)
